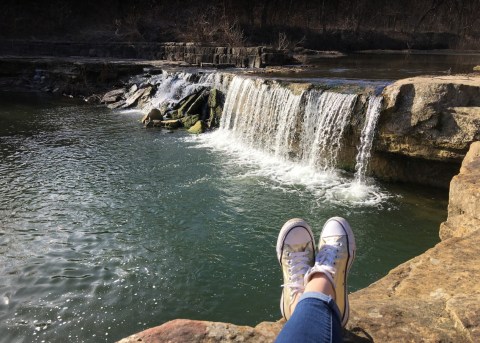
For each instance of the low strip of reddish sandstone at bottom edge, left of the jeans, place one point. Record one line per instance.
(194, 331)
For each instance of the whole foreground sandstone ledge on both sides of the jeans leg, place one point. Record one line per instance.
(431, 298)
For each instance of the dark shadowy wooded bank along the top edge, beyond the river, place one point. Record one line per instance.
(325, 24)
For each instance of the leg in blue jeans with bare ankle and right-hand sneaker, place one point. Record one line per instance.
(316, 316)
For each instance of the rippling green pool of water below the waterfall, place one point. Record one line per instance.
(107, 228)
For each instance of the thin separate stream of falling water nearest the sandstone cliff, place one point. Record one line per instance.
(366, 138)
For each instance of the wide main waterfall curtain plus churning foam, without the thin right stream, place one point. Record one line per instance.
(290, 134)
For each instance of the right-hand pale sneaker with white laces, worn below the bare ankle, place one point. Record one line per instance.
(336, 251)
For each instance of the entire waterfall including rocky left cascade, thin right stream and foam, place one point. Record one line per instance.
(292, 133)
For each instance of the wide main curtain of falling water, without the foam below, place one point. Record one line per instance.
(268, 116)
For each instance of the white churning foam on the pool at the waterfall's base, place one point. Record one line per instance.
(332, 186)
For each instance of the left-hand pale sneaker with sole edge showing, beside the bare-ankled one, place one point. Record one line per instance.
(296, 254)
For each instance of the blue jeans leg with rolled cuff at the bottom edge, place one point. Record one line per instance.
(315, 319)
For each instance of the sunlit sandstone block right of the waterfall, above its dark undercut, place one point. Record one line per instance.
(434, 118)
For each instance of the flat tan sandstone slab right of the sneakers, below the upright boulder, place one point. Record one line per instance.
(419, 300)
